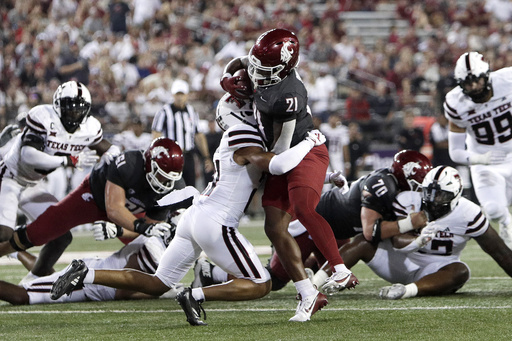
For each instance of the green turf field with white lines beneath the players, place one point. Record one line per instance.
(482, 310)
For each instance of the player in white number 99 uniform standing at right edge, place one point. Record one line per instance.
(480, 135)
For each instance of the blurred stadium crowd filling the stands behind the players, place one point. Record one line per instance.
(129, 52)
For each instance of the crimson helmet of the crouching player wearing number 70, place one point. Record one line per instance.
(410, 168)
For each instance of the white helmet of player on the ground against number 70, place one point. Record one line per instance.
(442, 189)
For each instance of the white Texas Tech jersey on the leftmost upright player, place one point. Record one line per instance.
(44, 122)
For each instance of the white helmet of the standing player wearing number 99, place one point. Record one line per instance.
(470, 68)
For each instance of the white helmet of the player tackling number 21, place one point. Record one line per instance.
(232, 111)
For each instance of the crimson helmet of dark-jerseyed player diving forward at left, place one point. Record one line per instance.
(163, 164)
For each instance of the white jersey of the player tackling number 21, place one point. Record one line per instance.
(232, 188)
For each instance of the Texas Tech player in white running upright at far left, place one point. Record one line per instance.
(60, 135)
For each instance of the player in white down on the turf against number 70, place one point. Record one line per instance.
(428, 263)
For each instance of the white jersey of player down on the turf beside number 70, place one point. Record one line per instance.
(456, 228)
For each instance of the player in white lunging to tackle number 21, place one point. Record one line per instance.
(211, 224)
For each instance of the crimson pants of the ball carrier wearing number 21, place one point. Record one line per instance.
(298, 193)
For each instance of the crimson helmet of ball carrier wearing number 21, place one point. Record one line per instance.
(273, 56)
